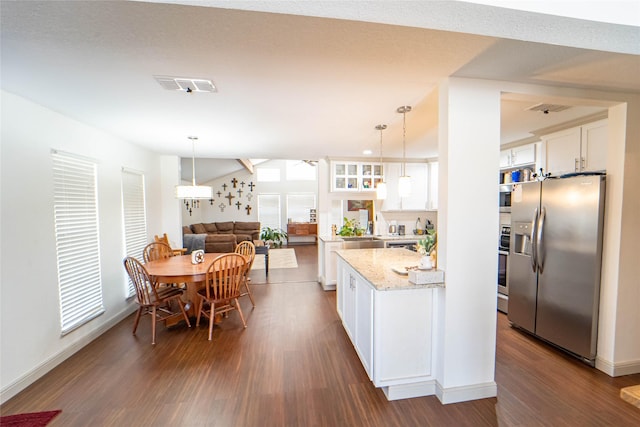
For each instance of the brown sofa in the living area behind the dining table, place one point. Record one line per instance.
(224, 236)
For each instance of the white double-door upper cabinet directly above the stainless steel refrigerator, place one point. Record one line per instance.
(578, 149)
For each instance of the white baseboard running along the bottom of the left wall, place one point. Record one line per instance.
(32, 376)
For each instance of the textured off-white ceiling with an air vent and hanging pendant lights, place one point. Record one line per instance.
(289, 86)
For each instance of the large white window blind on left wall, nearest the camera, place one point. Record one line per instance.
(77, 240)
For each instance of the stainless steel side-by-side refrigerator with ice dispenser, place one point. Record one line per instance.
(555, 260)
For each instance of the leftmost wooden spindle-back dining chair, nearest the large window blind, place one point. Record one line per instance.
(151, 299)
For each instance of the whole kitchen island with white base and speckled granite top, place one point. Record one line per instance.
(390, 321)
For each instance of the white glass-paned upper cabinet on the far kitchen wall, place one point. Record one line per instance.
(355, 176)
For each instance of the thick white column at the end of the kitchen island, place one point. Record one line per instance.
(469, 152)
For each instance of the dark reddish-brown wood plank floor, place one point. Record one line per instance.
(295, 366)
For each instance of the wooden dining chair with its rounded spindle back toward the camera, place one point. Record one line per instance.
(222, 288)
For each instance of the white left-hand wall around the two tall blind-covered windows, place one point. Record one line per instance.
(30, 339)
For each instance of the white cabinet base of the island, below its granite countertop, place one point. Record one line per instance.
(391, 330)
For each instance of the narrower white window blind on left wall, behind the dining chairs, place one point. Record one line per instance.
(134, 218)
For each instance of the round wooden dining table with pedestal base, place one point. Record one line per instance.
(179, 269)
